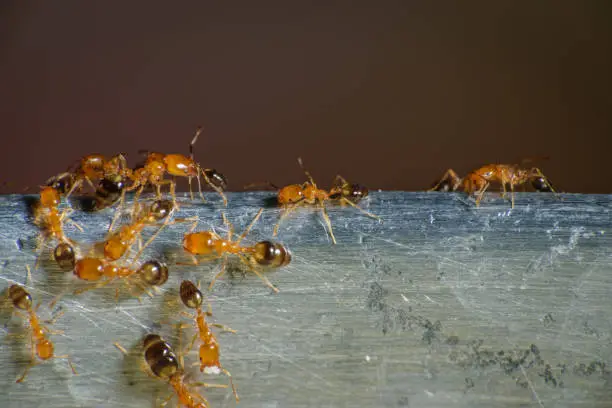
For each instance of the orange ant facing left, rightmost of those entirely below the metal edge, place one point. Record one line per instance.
(262, 254)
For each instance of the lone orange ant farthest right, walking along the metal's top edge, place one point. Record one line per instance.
(477, 181)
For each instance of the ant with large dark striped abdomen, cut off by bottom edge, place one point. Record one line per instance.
(163, 364)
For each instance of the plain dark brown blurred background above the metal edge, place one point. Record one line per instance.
(388, 94)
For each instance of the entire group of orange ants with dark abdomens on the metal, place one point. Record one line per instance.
(110, 179)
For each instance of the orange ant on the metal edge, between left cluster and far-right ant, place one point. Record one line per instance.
(291, 196)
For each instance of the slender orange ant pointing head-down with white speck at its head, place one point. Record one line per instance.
(192, 298)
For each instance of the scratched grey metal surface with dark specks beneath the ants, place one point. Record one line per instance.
(440, 304)
